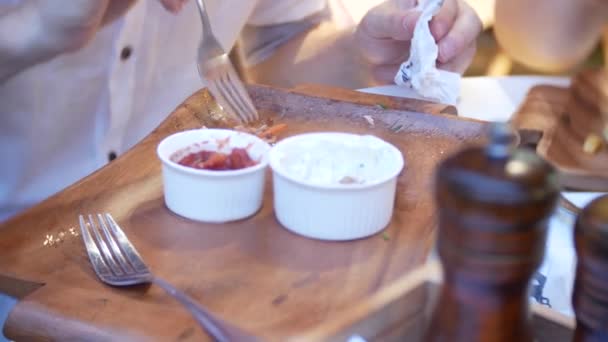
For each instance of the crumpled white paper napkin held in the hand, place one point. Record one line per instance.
(419, 71)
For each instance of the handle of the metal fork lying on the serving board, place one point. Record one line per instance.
(204, 318)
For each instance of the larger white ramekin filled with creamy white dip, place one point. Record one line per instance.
(333, 211)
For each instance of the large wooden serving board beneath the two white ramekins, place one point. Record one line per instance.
(252, 273)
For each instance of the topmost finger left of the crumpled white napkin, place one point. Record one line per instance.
(387, 21)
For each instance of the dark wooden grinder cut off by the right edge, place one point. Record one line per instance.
(590, 296)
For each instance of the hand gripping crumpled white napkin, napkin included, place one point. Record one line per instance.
(431, 35)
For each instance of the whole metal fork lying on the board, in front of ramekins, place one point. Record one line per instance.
(117, 263)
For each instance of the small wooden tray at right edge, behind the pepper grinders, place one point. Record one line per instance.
(557, 120)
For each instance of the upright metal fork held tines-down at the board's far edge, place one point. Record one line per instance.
(215, 67)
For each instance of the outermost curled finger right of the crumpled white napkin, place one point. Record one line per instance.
(465, 30)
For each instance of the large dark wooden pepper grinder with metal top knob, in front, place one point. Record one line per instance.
(493, 204)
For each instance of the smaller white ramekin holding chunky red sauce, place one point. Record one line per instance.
(207, 195)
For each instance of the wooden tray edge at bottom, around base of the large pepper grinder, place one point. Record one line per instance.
(401, 312)
